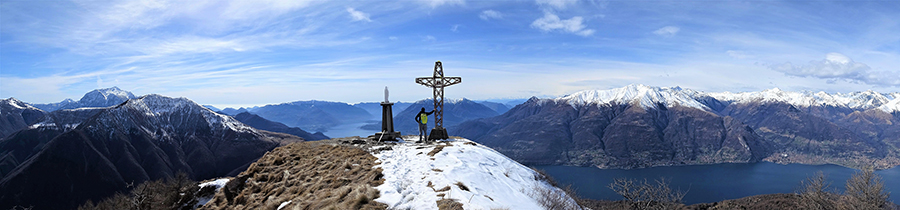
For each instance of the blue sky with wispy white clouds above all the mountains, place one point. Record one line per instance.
(254, 52)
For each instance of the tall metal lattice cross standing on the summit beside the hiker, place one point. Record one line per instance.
(437, 82)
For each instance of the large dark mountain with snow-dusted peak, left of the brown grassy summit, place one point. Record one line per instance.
(146, 138)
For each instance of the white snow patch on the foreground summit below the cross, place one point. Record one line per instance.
(414, 179)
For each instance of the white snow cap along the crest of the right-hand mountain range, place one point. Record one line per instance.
(649, 97)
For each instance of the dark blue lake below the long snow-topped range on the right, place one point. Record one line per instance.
(712, 183)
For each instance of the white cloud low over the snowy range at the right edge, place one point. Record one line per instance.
(837, 66)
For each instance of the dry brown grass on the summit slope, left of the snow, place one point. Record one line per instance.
(310, 175)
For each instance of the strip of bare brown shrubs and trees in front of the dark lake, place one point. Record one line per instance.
(863, 191)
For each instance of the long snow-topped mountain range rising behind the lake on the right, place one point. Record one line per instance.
(640, 126)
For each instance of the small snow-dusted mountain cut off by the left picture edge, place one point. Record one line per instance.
(15, 115)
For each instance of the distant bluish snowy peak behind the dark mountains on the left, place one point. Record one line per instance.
(97, 98)
